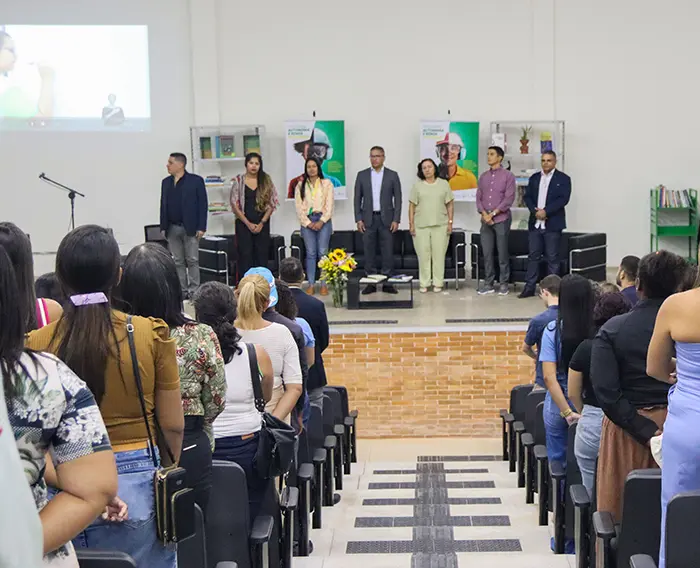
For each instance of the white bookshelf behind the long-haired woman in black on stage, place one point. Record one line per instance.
(218, 155)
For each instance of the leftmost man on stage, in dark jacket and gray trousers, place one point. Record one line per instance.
(183, 219)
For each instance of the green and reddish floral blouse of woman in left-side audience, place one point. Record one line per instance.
(202, 374)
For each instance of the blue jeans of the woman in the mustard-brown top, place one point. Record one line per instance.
(137, 535)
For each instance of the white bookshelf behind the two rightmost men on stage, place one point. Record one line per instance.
(523, 159)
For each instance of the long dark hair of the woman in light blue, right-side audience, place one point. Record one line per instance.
(575, 319)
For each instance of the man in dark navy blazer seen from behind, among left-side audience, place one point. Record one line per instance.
(313, 311)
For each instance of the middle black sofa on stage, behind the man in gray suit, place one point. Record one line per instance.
(405, 257)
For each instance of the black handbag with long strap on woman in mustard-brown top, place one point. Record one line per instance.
(174, 500)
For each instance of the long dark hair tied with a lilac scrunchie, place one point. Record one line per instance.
(87, 261)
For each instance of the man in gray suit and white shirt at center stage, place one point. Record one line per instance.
(378, 214)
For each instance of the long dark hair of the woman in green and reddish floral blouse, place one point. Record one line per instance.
(150, 286)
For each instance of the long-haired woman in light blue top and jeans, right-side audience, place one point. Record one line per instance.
(559, 342)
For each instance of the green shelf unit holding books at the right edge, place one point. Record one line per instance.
(684, 223)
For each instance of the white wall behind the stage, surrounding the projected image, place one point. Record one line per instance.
(621, 74)
